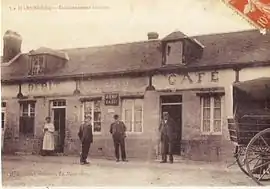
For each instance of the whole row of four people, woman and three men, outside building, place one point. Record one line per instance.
(118, 131)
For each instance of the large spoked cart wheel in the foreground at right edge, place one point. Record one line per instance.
(257, 158)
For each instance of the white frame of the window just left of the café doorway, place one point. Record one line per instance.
(133, 115)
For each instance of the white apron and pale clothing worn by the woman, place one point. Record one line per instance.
(48, 139)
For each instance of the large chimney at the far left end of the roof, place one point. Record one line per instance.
(12, 45)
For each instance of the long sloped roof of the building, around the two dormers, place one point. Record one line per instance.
(220, 49)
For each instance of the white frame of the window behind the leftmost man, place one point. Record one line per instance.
(92, 114)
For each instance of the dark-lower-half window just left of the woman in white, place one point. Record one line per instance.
(27, 117)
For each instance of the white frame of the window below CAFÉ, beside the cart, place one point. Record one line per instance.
(212, 107)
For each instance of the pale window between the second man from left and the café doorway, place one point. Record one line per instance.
(132, 111)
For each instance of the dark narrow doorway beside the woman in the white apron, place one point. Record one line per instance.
(59, 120)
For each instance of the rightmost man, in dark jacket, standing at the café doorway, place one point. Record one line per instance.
(167, 129)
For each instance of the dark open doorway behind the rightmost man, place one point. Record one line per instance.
(173, 105)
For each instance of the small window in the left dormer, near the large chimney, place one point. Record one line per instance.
(37, 65)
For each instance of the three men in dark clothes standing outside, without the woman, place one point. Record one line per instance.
(118, 131)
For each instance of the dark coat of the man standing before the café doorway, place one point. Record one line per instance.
(167, 130)
